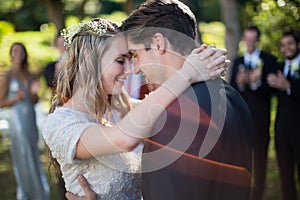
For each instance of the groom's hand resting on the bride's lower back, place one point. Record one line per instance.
(89, 193)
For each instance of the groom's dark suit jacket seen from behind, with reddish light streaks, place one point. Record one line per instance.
(211, 121)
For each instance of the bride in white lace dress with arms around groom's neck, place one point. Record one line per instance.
(93, 129)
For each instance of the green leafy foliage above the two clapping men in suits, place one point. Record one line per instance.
(272, 18)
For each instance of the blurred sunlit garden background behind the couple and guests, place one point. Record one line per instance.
(37, 22)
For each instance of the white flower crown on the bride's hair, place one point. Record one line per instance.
(96, 26)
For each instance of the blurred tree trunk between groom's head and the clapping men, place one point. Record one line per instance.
(230, 15)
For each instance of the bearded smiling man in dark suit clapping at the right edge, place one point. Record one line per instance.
(287, 138)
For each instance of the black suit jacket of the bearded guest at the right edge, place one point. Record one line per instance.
(288, 109)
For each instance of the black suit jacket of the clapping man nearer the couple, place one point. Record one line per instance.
(258, 101)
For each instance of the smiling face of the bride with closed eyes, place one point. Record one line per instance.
(116, 65)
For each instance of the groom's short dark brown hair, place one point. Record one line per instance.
(172, 18)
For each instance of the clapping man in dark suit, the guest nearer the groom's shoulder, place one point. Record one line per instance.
(249, 74)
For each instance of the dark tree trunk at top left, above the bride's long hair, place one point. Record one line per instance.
(56, 13)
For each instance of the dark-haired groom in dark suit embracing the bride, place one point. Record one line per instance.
(203, 147)
